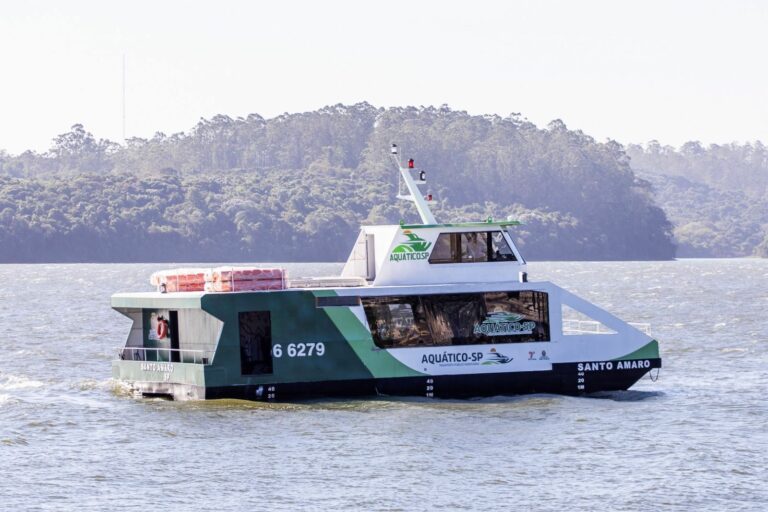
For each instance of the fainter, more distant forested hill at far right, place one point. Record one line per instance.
(716, 196)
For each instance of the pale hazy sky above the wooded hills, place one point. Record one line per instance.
(631, 71)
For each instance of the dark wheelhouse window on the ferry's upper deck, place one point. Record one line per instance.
(471, 247)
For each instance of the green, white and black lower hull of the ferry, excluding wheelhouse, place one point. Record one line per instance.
(302, 344)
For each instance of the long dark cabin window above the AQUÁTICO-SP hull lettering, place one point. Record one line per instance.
(458, 319)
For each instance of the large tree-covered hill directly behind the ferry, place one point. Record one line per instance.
(297, 187)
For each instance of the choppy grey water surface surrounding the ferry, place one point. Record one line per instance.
(697, 439)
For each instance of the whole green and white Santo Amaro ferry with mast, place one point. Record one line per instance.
(430, 309)
